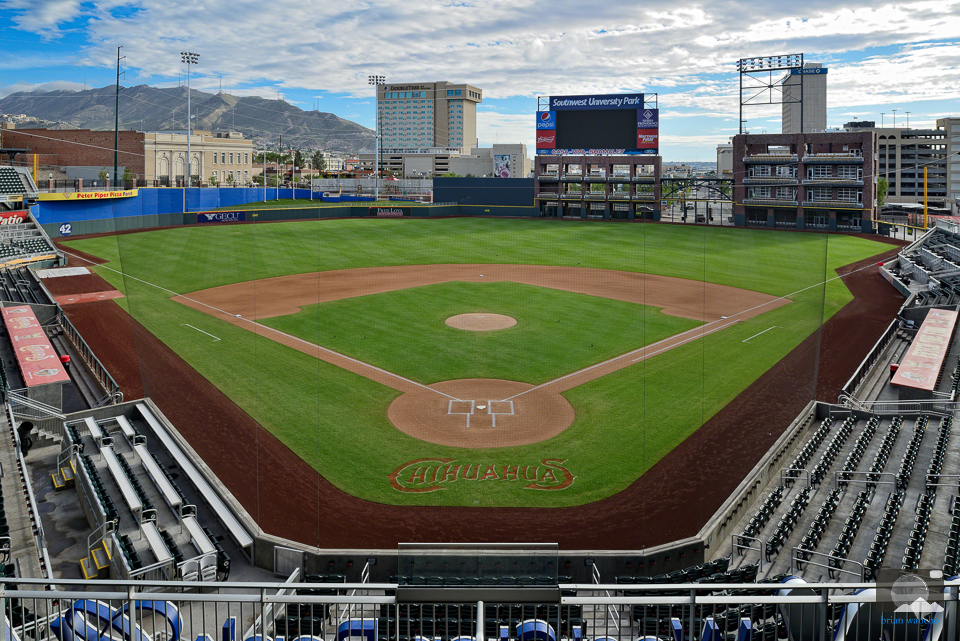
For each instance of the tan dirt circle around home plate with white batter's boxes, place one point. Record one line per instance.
(481, 413)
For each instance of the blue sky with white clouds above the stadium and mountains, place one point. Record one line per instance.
(884, 59)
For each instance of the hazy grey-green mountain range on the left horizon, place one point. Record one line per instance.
(147, 108)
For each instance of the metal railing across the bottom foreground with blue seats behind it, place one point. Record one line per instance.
(115, 610)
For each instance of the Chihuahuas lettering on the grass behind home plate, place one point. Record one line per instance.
(433, 474)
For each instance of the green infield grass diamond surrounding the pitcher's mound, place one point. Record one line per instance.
(556, 333)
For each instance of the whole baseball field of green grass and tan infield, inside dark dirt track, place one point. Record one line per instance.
(479, 362)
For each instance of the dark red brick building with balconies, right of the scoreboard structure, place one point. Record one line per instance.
(806, 181)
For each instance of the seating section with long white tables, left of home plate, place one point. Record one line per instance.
(144, 527)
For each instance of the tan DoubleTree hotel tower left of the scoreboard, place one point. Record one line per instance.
(428, 116)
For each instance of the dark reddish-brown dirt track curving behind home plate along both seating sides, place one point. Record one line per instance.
(671, 501)
